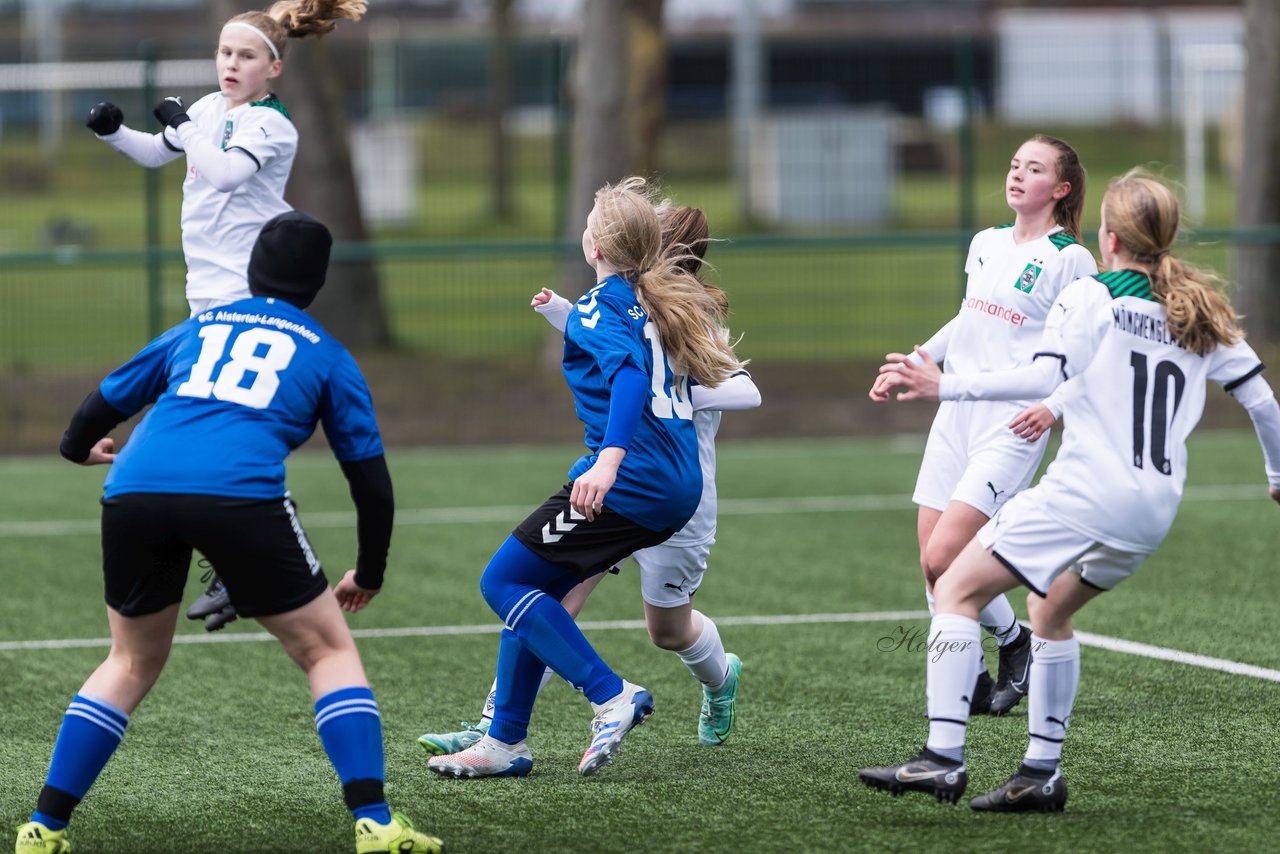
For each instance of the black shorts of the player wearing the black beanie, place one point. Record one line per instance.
(258, 547)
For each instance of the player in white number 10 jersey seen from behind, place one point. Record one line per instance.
(1141, 342)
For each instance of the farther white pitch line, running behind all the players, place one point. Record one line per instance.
(516, 513)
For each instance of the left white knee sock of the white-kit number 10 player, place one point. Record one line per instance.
(956, 656)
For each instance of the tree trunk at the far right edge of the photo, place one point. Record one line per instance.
(1258, 266)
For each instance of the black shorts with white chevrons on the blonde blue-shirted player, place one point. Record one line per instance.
(559, 535)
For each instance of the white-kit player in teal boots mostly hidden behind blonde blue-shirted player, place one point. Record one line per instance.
(670, 573)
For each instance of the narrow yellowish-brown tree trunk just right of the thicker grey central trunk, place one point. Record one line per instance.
(648, 84)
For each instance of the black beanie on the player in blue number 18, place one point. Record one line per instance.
(290, 259)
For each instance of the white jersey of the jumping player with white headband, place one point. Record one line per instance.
(220, 229)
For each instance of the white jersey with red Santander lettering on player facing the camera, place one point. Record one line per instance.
(1011, 291)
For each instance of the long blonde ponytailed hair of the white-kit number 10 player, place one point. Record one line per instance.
(1144, 214)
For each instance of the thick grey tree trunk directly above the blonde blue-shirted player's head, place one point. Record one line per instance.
(601, 145)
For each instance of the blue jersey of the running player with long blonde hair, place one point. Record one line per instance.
(660, 482)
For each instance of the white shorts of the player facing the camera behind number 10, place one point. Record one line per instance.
(975, 458)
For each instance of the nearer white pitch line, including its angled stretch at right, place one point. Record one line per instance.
(1087, 638)
